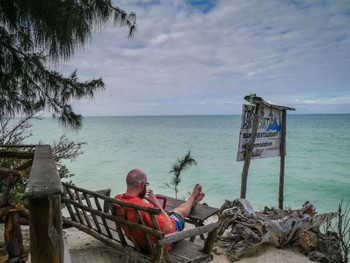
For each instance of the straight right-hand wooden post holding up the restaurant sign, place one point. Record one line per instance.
(282, 161)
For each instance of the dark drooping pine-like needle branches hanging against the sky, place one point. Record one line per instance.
(34, 33)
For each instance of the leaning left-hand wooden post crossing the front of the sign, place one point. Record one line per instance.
(248, 152)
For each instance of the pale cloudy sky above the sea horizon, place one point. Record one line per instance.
(202, 57)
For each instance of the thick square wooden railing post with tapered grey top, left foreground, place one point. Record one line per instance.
(43, 191)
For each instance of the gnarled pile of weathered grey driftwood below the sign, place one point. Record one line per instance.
(243, 230)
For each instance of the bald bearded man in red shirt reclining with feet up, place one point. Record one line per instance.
(169, 222)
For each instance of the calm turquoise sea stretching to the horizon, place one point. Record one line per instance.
(317, 164)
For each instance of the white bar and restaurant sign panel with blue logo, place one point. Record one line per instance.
(268, 136)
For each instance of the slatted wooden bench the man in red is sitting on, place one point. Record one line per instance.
(93, 213)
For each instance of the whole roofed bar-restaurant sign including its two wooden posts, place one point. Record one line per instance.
(262, 135)
